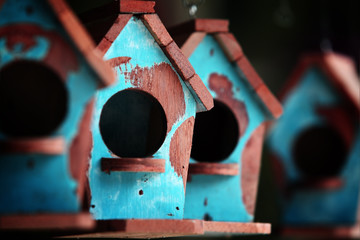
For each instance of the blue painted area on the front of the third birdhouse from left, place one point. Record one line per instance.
(222, 194)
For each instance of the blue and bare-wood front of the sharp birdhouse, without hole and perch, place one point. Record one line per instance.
(141, 65)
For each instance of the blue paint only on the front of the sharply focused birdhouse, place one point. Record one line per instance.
(116, 196)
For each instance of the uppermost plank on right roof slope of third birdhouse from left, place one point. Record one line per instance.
(230, 46)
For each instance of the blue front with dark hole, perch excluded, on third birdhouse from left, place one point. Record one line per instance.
(222, 136)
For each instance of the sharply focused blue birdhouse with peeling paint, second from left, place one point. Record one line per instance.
(143, 125)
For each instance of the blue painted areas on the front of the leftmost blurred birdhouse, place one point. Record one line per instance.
(46, 186)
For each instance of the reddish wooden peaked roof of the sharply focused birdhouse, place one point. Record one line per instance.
(145, 11)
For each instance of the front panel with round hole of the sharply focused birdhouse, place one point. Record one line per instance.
(148, 114)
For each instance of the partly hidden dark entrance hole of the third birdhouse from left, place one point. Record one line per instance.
(216, 134)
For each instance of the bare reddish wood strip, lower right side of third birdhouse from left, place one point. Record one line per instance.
(250, 168)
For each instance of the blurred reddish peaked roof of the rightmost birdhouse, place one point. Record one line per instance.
(339, 69)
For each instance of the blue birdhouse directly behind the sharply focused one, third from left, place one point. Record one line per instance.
(227, 143)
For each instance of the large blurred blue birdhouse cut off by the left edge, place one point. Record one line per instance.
(48, 76)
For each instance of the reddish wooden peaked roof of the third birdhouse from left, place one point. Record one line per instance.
(192, 33)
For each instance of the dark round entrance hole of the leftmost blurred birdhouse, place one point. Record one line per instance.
(33, 99)
